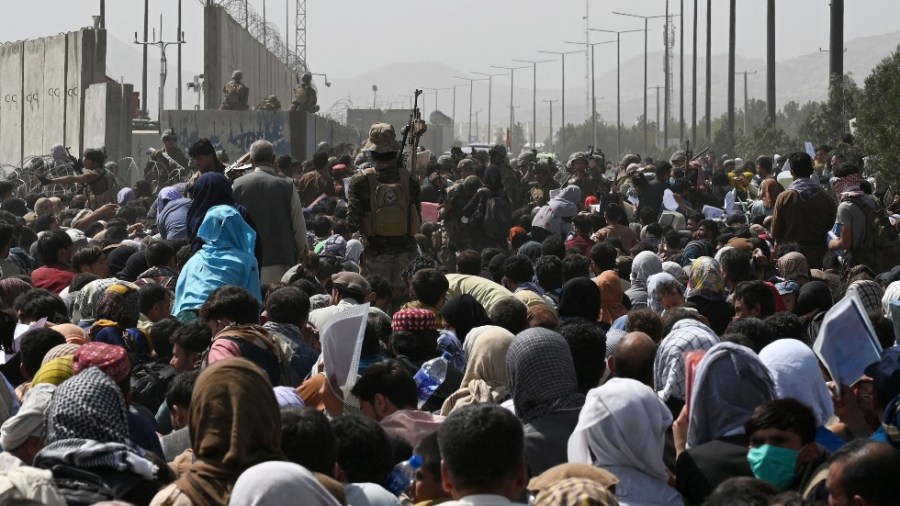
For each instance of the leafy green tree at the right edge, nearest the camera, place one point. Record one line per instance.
(878, 127)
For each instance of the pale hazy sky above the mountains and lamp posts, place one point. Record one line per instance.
(348, 37)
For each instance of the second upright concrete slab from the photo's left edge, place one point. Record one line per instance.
(33, 87)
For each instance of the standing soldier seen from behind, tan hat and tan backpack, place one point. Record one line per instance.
(384, 205)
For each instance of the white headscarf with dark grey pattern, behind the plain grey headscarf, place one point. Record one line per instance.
(668, 367)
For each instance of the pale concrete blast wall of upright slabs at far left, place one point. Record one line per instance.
(42, 85)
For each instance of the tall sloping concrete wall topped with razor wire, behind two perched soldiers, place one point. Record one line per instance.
(227, 47)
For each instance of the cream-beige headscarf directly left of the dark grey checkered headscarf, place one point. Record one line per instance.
(485, 379)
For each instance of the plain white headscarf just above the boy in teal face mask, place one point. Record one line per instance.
(795, 371)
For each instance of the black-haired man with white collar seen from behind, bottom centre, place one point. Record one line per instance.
(483, 457)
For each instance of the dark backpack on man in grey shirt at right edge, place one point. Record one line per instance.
(880, 249)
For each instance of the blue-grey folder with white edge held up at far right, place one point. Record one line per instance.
(846, 343)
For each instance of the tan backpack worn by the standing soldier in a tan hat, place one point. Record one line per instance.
(392, 214)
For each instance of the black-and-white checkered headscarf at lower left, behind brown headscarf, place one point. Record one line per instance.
(88, 406)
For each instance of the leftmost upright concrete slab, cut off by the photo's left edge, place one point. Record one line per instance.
(11, 105)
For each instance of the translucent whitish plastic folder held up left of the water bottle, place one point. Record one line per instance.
(341, 340)
